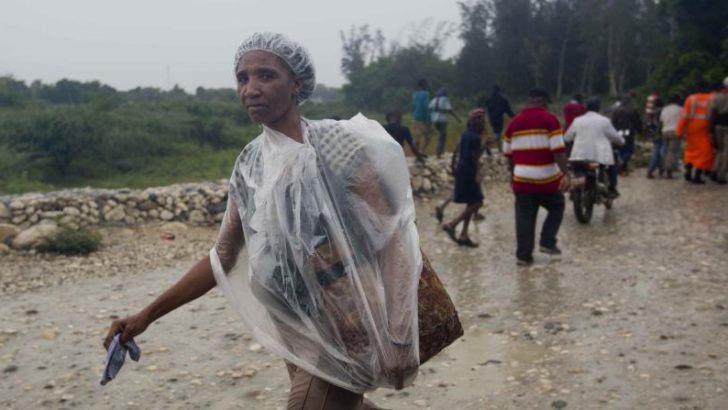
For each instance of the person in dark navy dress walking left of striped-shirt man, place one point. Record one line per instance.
(467, 188)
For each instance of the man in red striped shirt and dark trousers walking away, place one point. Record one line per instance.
(534, 143)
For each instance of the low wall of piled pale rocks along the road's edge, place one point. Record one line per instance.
(26, 220)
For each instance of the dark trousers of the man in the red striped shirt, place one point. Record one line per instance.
(526, 212)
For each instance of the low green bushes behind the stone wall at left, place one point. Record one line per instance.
(74, 134)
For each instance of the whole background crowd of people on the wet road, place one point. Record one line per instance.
(543, 155)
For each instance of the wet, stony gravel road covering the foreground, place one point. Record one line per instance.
(634, 315)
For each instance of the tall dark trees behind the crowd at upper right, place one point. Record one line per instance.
(605, 47)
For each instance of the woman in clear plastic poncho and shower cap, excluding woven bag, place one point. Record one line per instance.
(324, 210)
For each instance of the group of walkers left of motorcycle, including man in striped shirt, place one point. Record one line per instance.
(533, 143)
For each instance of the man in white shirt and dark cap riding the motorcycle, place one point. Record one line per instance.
(593, 135)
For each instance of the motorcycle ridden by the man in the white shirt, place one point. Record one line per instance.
(589, 188)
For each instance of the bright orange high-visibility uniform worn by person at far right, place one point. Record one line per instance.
(695, 127)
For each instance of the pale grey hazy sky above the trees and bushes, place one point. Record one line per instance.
(131, 43)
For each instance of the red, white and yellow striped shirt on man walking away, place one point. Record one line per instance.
(531, 139)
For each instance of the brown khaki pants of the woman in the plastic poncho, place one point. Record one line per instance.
(309, 392)
